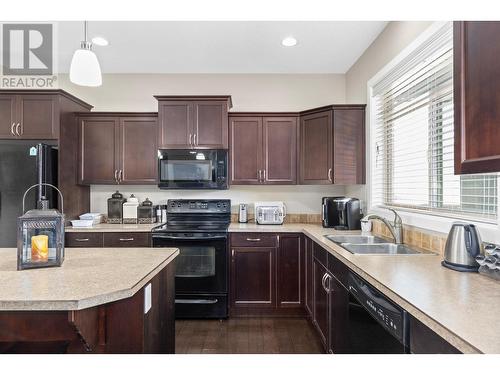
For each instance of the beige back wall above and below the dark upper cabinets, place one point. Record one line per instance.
(250, 92)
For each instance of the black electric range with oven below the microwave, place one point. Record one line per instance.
(199, 228)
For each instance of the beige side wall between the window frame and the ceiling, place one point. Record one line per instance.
(393, 39)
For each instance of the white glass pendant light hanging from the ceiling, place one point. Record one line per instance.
(85, 69)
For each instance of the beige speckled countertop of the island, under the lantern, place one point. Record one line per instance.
(88, 277)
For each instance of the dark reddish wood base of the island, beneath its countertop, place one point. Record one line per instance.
(117, 327)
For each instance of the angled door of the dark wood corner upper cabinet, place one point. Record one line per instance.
(316, 148)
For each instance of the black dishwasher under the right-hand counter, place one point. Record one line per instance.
(376, 324)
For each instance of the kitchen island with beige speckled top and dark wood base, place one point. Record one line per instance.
(102, 300)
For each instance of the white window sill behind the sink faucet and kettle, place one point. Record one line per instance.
(489, 231)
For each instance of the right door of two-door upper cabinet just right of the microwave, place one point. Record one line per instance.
(280, 150)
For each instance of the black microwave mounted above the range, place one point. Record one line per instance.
(192, 169)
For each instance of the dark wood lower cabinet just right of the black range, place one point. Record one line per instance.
(267, 274)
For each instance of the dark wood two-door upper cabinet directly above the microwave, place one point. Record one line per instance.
(193, 122)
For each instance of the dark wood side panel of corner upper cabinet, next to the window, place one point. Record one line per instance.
(348, 146)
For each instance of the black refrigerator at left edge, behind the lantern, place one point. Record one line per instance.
(23, 164)
